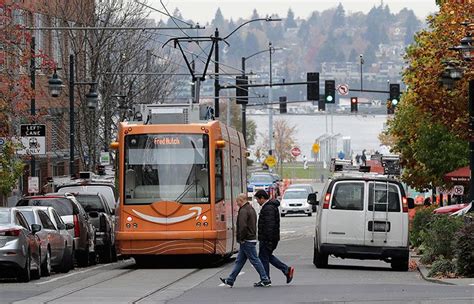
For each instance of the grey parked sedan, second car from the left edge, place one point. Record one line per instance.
(55, 252)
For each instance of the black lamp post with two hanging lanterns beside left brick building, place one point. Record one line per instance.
(55, 86)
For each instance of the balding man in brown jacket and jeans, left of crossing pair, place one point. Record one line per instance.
(247, 238)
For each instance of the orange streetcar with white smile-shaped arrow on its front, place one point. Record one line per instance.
(177, 184)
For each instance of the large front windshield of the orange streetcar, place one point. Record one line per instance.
(166, 167)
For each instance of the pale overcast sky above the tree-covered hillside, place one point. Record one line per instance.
(203, 11)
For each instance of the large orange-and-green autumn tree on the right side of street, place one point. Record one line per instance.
(430, 128)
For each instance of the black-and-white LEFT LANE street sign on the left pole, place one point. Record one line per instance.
(33, 139)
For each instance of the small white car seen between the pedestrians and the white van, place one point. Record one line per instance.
(295, 201)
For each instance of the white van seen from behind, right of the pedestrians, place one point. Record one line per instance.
(347, 226)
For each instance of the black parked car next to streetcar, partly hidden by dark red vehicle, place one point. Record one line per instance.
(103, 220)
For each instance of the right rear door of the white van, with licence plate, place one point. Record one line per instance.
(384, 225)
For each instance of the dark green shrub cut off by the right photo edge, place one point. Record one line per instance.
(464, 250)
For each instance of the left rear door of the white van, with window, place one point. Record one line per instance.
(345, 215)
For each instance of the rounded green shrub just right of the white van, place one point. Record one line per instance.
(440, 235)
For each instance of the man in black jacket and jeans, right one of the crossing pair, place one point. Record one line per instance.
(269, 234)
